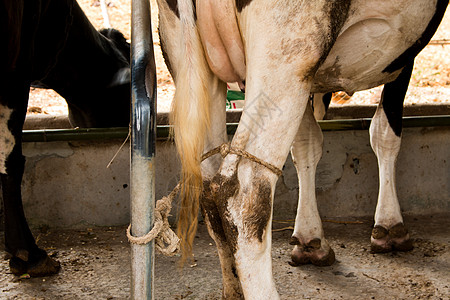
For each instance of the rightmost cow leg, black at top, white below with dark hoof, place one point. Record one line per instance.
(389, 232)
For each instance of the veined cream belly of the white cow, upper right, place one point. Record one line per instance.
(375, 34)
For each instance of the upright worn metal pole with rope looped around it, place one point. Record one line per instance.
(143, 136)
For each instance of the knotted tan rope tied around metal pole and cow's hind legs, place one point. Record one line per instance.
(166, 241)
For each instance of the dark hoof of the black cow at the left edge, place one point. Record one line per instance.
(43, 265)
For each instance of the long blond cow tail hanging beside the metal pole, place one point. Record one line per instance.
(191, 120)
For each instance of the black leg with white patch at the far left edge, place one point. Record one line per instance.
(19, 242)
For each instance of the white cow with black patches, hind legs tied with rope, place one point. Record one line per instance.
(283, 51)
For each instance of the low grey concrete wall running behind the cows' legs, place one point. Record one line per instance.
(67, 184)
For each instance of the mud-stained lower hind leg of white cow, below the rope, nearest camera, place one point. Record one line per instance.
(246, 218)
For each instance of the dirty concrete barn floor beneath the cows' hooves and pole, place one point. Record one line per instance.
(95, 265)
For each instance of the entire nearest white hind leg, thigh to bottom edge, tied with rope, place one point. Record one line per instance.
(280, 67)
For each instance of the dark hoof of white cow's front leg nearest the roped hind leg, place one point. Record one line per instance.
(311, 252)
